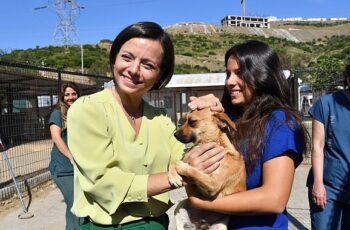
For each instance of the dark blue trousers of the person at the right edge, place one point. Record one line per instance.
(335, 216)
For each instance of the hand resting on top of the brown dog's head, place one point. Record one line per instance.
(205, 101)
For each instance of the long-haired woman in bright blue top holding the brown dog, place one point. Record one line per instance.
(269, 134)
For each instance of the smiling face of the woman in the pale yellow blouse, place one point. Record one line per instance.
(137, 65)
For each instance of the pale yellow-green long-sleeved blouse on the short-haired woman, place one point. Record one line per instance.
(113, 163)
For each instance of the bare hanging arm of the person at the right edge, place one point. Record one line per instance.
(317, 156)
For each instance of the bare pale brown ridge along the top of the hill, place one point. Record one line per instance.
(292, 33)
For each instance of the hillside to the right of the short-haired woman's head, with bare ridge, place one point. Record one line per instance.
(201, 47)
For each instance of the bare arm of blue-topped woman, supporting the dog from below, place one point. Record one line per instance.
(271, 197)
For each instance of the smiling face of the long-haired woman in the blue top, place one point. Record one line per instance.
(240, 93)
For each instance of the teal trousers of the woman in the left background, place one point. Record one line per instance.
(66, 185)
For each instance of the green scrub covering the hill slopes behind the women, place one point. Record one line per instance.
(195, 53)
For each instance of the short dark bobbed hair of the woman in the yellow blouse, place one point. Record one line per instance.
(153, 31)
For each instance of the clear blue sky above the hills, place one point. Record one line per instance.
(27, 24)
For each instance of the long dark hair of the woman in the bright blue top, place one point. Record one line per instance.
(261, 70)
